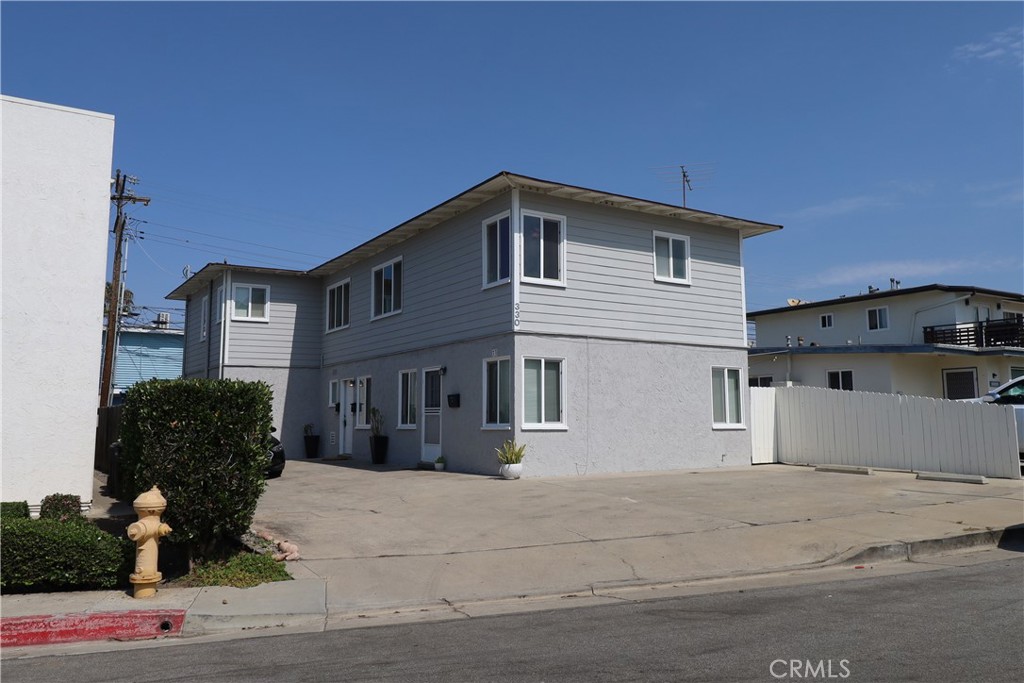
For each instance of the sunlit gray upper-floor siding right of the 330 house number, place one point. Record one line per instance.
(611, 288)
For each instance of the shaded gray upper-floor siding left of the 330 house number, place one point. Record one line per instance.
(443, 300)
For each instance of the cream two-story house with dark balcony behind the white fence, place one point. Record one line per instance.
(937, 340)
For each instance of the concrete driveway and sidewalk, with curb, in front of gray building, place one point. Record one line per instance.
(402, 544)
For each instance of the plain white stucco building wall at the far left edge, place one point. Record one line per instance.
(56, 215)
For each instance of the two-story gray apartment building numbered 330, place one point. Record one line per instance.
(607, 333)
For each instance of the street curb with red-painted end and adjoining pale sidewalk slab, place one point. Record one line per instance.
(304, 603)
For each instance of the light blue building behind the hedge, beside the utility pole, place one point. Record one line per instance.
(146, 354)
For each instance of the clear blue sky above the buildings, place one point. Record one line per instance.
(888, 139)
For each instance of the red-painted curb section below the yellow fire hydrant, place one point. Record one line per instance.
(49, 629)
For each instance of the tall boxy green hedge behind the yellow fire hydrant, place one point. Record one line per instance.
(204, 445)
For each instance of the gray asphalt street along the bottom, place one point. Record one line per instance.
(956, 624)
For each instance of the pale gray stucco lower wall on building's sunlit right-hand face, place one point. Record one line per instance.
(633, 407)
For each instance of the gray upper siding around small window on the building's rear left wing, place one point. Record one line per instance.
(292, 337)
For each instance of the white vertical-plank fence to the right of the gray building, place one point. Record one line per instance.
(816, 426)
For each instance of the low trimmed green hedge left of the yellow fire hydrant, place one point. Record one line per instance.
(45, 556)
